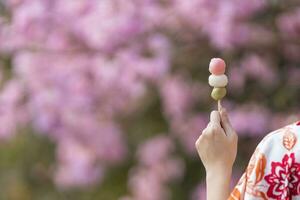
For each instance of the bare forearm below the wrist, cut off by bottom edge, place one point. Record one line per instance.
(218, 184)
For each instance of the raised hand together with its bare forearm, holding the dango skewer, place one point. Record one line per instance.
(217, 148)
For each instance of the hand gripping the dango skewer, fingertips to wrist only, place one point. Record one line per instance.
(217, 146)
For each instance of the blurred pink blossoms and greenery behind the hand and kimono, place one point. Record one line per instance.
(104, 99)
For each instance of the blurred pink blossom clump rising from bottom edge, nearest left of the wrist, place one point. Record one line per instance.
(157, 166)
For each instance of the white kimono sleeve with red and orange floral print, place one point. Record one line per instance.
(274, 169)
